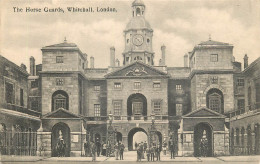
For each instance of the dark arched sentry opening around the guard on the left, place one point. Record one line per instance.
(60, 131)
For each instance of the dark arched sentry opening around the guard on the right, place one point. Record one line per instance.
(198, 135)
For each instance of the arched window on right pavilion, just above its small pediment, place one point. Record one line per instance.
(215, 100)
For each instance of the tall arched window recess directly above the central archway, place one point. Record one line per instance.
(136, 105)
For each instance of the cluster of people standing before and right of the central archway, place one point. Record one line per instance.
(153, 151)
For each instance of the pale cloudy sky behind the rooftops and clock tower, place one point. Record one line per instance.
(178, 24)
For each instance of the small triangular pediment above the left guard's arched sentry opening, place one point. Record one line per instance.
(60, 113)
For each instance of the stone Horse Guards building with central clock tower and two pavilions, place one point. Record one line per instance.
(209, 98)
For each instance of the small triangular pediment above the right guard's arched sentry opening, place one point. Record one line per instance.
(204, 112)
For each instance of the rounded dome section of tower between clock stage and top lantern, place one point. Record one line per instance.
(138, 23)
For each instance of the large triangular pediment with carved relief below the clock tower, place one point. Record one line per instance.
(137, 69)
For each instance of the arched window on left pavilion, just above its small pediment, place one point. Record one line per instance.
(60, 99)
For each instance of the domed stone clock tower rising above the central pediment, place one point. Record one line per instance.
(138, 37)
